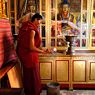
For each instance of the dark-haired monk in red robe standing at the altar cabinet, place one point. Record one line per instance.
(28, 47)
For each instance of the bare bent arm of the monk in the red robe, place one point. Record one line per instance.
(32, 46)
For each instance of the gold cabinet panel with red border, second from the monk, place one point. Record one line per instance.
(62, 70)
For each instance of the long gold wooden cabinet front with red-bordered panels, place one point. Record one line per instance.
(71, 71)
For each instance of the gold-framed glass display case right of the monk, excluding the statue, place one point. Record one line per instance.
(82, 16)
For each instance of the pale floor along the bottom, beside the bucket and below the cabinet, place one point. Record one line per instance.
(74, 92)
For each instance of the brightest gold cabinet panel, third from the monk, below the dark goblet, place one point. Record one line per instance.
(79, 71)
